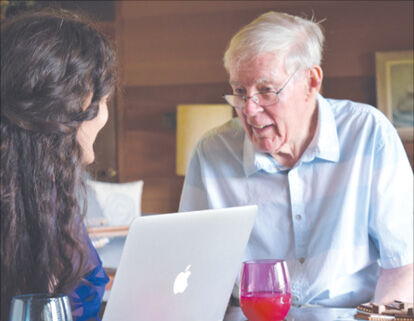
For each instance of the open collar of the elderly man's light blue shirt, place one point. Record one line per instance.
(324, 145)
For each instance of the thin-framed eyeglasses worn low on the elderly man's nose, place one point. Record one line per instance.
(262, 99)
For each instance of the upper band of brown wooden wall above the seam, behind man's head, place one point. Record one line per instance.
(187, 45)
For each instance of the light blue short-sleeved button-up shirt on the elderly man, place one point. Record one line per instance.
(344, 210)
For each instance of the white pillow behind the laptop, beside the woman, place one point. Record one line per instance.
(116, 203)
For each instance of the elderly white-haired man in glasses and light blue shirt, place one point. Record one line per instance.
(331, 178)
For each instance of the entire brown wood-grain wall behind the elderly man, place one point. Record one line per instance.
(171, 53)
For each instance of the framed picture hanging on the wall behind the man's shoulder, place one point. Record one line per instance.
(395, 91)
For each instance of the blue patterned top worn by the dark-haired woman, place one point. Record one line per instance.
(86, 299)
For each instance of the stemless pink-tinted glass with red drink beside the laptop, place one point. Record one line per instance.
(265, 293)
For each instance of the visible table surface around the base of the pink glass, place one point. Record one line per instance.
(303, 314)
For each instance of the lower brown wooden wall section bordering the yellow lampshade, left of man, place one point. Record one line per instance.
(148, 142)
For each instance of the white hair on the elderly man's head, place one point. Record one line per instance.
(296, 40)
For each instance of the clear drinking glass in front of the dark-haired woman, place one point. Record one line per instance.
(40, 307)
